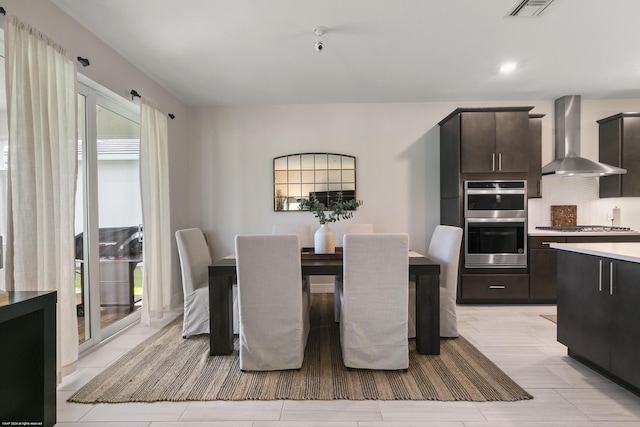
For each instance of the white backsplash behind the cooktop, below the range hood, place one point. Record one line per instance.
(583, 192)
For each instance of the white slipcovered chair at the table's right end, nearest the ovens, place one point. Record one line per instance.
(445, 249)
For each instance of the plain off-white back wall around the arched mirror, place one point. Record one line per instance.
(397, 150)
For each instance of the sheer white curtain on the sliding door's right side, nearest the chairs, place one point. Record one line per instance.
(154, 182)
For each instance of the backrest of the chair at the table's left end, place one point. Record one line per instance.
(194, 259)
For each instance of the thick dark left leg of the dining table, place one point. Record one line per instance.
(220, 315)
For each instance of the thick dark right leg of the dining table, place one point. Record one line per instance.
(428, 314)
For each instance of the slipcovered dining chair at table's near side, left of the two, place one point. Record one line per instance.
(273, 302)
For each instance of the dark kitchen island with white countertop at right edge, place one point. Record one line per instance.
(598, 316)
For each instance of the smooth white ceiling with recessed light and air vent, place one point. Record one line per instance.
(249, 52)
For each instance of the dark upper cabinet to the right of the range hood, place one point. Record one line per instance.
(620, 146)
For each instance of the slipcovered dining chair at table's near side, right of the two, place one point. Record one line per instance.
(374, 298)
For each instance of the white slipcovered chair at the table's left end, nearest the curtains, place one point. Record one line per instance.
(194, 261)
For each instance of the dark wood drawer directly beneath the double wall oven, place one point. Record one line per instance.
(495, 287)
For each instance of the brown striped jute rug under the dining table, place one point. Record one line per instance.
(167, 367)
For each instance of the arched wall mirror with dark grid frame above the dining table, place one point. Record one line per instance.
(318, 175)
